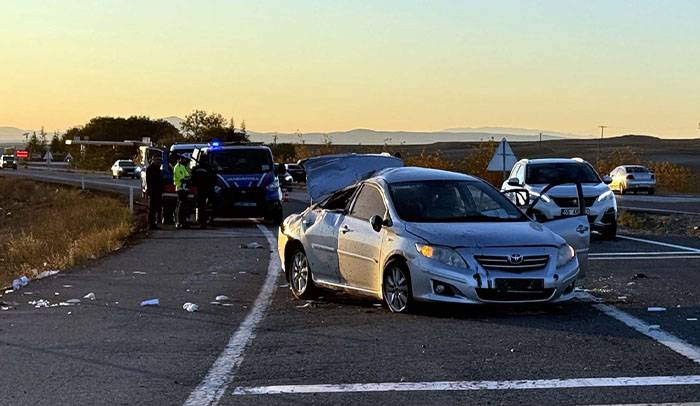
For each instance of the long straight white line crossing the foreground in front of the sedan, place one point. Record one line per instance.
(472, 385)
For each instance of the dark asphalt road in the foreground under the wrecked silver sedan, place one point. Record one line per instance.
(341, 349)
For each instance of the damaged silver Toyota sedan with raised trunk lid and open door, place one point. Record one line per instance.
(403, 234)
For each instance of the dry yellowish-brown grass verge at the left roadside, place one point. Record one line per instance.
(54, 227)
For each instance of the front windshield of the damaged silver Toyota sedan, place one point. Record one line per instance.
(449, 201)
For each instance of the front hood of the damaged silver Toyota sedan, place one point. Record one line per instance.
(477, 235)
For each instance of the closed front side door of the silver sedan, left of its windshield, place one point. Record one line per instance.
(359, 245)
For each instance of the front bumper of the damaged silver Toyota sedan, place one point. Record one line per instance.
(476, 285)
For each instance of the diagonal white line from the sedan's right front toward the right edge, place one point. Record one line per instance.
(667, 339)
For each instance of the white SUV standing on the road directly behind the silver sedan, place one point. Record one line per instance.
(561, 201)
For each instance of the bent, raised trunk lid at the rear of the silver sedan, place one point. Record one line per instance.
(328, 173)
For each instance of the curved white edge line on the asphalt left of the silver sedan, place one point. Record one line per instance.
(221, 373)
